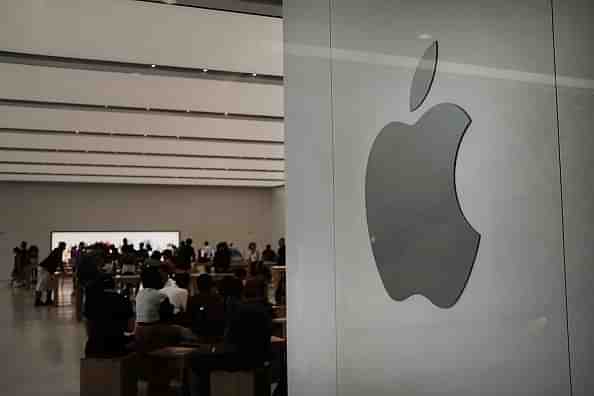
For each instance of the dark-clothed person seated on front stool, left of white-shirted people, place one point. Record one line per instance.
(109, 315)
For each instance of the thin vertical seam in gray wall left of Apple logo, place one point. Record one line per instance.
(333, 200)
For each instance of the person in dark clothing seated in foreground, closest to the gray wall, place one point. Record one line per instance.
(247, 340)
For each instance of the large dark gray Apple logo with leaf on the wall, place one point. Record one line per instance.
(421, 240)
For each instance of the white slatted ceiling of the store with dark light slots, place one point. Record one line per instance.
(92, 108)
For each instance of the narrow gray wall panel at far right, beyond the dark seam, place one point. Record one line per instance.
(575, 66)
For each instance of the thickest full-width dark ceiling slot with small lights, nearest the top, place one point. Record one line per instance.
(132, 69)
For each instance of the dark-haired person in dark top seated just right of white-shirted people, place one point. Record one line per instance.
(206, 315)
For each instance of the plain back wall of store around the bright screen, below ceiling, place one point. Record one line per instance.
(30, 211)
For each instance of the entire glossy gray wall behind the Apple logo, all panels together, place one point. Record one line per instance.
(523, 73)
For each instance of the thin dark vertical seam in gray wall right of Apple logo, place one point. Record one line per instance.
(552, 5)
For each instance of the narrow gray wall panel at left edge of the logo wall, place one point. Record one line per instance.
(310, 249)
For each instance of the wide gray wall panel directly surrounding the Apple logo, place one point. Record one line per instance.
(507, 333)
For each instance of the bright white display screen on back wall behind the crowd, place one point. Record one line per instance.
(158, 240)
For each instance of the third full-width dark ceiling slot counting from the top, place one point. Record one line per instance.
(247, 141)
